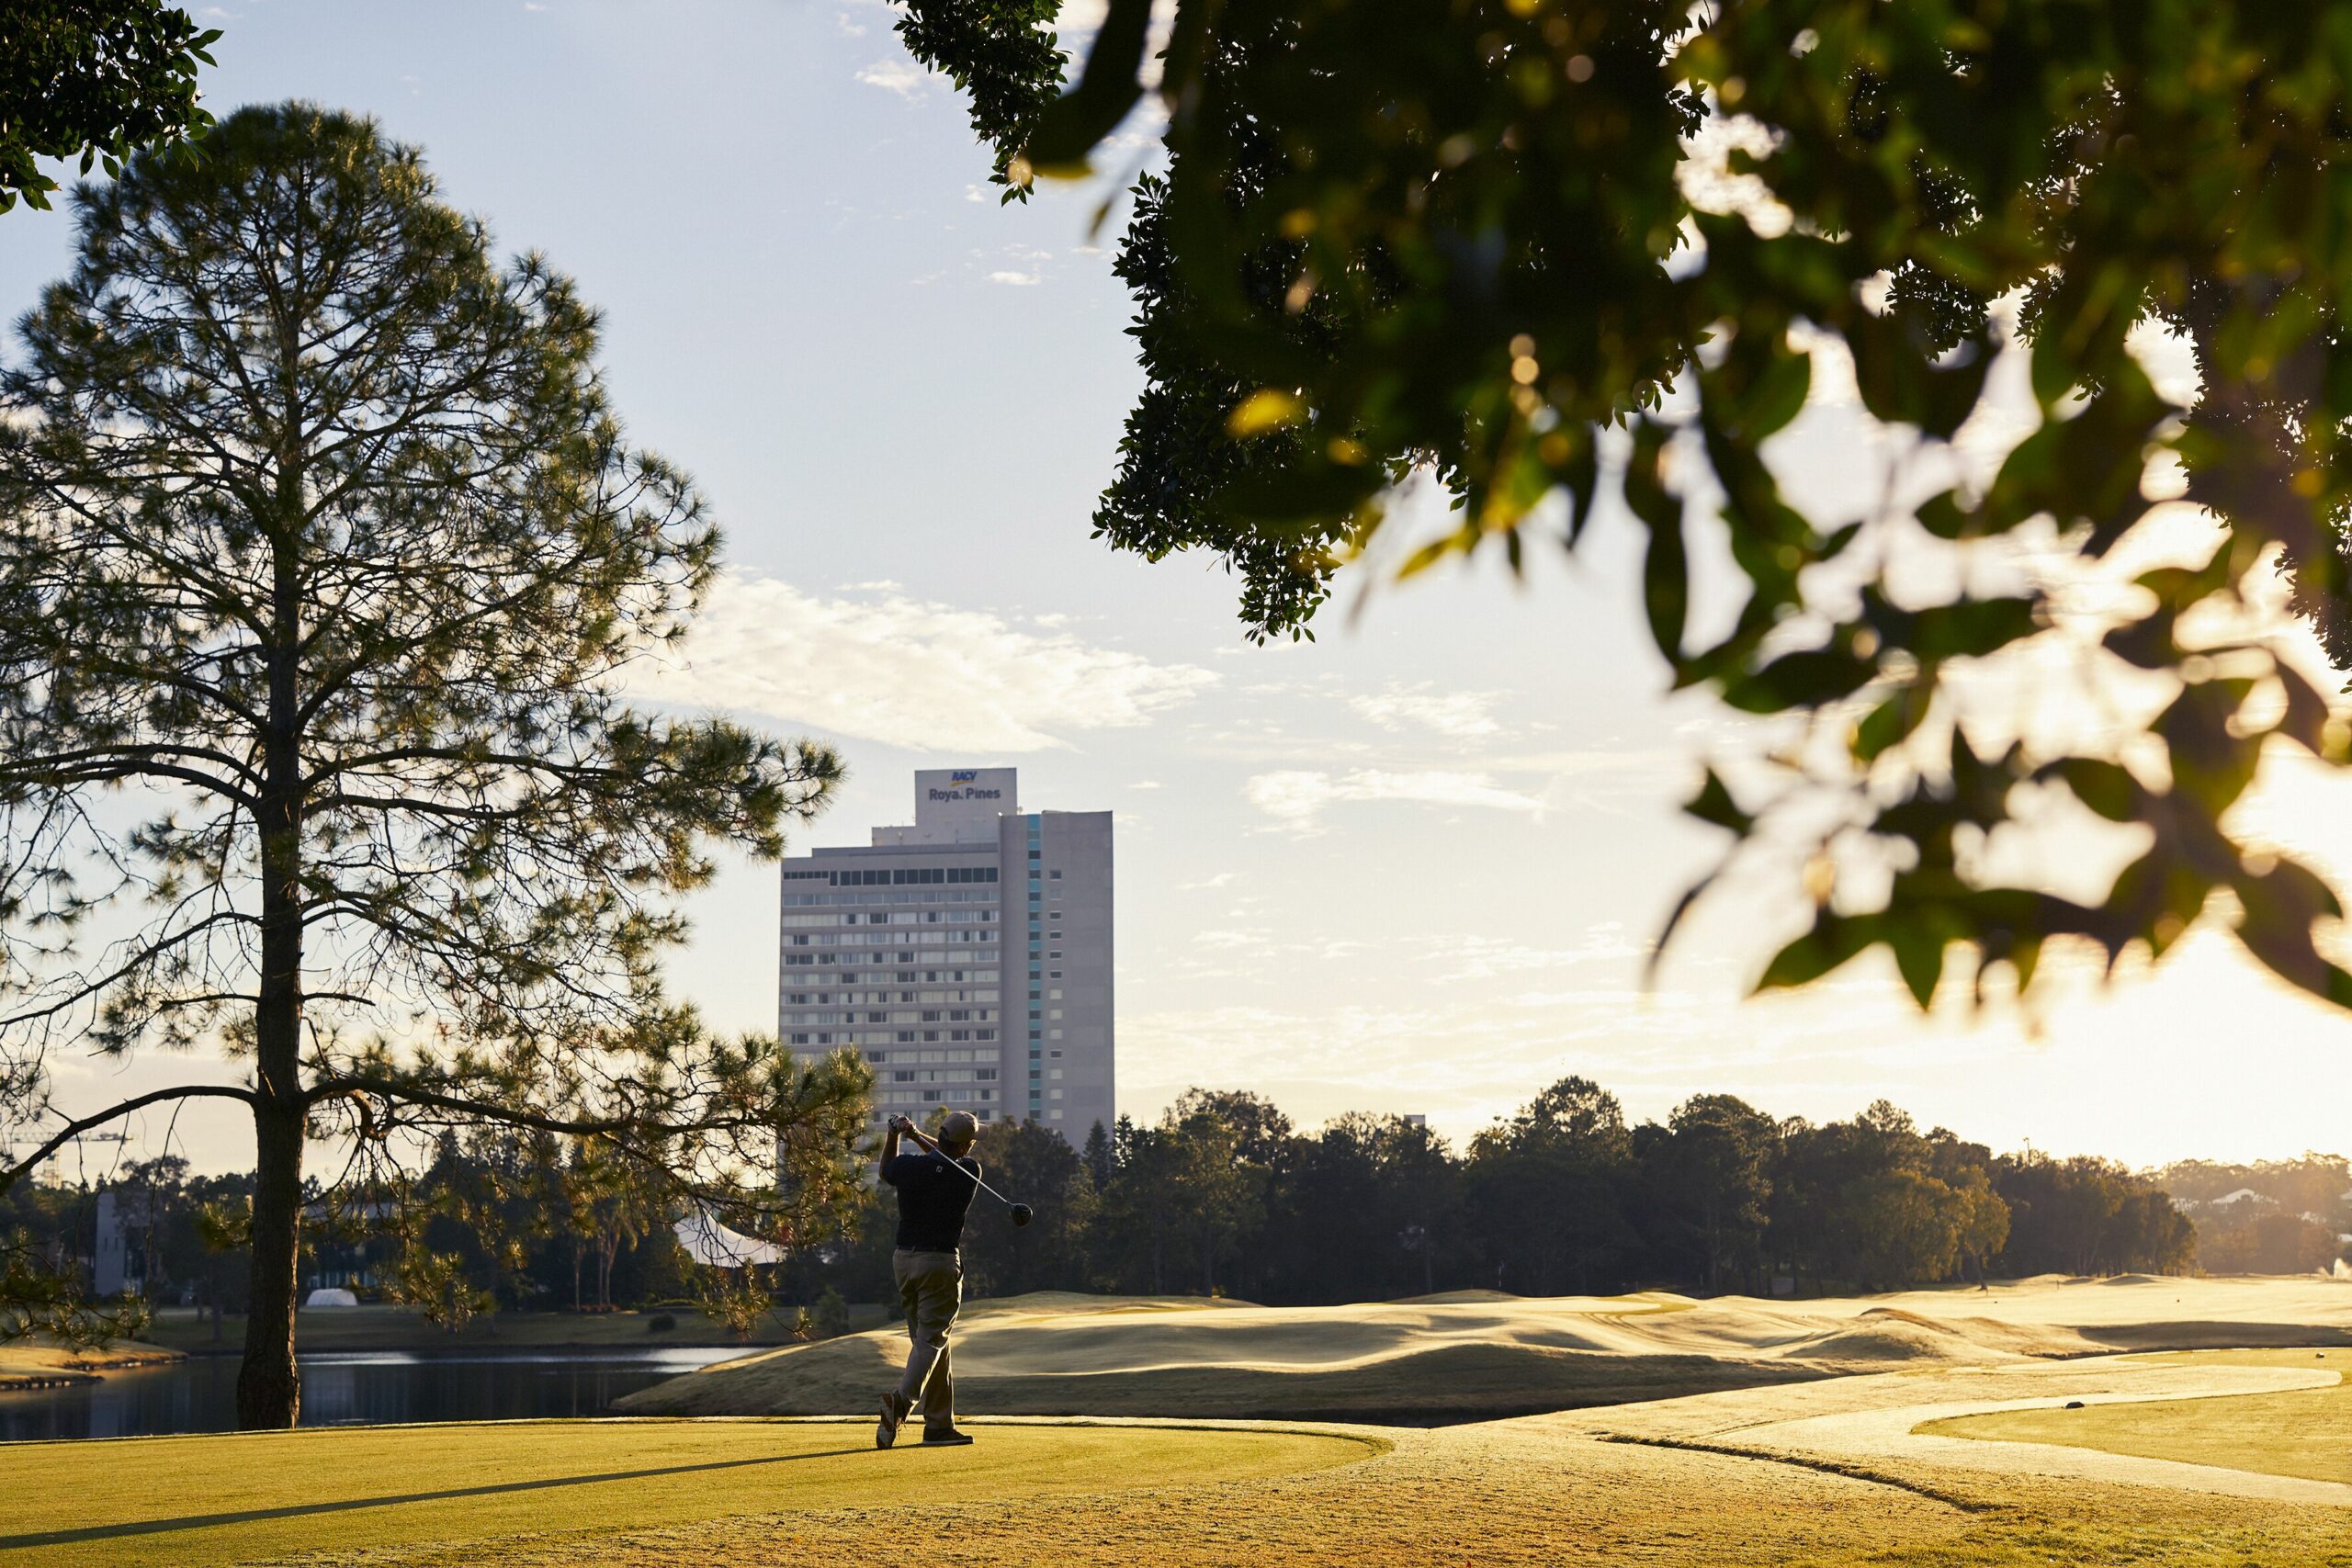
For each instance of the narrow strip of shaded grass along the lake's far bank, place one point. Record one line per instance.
(408, 1329)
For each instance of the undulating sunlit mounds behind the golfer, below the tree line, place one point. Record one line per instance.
(1478, 1355)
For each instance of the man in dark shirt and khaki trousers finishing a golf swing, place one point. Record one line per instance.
(930, 1271)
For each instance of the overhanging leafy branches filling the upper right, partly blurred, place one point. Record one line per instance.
(1563, 250)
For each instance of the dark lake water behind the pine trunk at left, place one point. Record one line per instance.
(354, 1388)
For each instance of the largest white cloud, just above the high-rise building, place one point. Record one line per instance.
(886, 666)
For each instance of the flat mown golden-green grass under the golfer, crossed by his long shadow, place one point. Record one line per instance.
(199, 1501)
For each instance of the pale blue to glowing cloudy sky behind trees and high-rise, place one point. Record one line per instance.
(1412, 866)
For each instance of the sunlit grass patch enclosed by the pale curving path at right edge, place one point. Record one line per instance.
(2304, 1433)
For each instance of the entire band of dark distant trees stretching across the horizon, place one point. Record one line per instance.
(1224, 1195)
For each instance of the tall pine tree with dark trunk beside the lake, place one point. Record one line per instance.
(323, 561)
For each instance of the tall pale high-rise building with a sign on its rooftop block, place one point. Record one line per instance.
(965, 958)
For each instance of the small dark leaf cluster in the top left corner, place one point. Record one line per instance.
(95, 81)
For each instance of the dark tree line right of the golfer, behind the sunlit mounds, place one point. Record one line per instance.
(1229, 1198)
